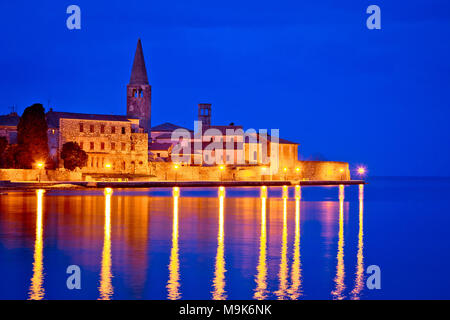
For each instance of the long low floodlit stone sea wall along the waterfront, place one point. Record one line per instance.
(165, 171)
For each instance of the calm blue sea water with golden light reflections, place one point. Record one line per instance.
(237, 244)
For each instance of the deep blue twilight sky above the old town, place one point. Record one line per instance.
(310, 68)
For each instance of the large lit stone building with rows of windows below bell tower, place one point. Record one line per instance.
(114, 144)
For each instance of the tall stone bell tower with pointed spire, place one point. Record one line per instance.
(139, 92)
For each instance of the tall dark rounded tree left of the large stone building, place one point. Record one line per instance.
(32, 136)
